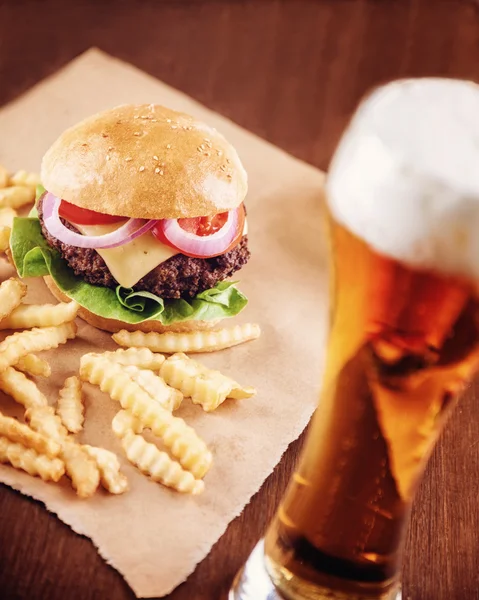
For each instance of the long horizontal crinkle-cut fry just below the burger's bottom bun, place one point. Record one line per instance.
(193, 341)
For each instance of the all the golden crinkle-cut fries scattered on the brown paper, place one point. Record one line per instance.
(149, 387)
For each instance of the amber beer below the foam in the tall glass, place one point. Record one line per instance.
(402, 343)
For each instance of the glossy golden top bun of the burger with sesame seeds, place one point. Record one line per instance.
(145, 161)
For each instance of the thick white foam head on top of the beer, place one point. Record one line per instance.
(405, 176)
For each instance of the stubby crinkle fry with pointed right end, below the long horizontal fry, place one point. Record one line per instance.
(206, 387)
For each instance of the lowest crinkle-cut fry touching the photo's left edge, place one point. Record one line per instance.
(26, 459)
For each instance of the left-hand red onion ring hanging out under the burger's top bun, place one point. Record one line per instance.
(132, 229)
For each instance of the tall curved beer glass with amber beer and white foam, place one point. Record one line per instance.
(403, 213)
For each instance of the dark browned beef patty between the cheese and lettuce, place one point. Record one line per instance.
(178, 277)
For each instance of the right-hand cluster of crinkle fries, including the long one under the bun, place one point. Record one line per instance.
(150, 387)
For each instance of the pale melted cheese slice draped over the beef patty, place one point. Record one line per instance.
(132, 261)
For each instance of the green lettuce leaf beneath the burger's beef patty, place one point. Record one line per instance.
(33, 257)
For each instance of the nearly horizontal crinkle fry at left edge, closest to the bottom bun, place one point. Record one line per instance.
(26, 316)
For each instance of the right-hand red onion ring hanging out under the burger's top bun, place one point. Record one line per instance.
(201, 246)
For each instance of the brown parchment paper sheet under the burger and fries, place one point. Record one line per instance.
(153, 536)
